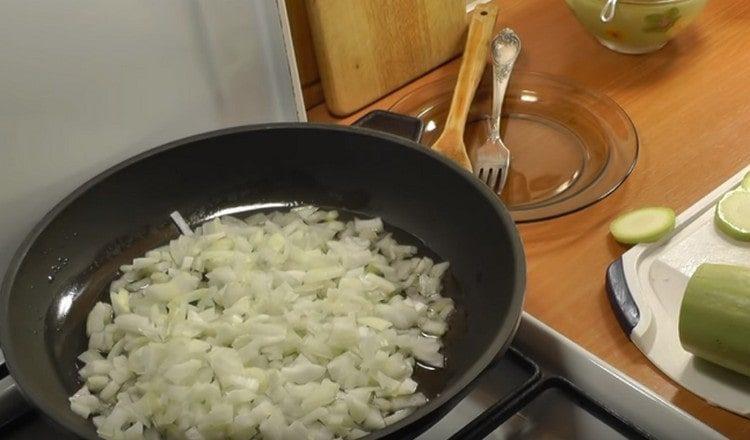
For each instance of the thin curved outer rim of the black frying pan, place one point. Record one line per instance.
(447, 397)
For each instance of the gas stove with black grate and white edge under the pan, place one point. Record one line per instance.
(544, 387)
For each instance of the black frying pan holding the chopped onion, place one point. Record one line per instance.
(124, 211)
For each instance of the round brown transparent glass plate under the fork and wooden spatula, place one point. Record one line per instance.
(570, 147)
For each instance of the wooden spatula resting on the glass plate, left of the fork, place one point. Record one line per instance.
(451, 140)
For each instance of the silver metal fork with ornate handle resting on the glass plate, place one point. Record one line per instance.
(492, 158)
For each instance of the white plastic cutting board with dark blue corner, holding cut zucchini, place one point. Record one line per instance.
(656, 276)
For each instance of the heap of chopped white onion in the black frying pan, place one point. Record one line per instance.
(286, 325)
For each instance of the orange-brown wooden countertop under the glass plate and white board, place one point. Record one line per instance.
(690, 103)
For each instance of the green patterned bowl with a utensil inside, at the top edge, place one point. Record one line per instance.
(638, 26)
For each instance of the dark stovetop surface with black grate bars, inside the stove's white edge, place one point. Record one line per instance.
(531, 405)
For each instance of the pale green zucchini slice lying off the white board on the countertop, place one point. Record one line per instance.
(643, 225)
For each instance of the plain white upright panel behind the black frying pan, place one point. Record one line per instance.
(85, 84)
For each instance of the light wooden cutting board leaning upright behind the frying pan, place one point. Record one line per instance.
(368, 48)
